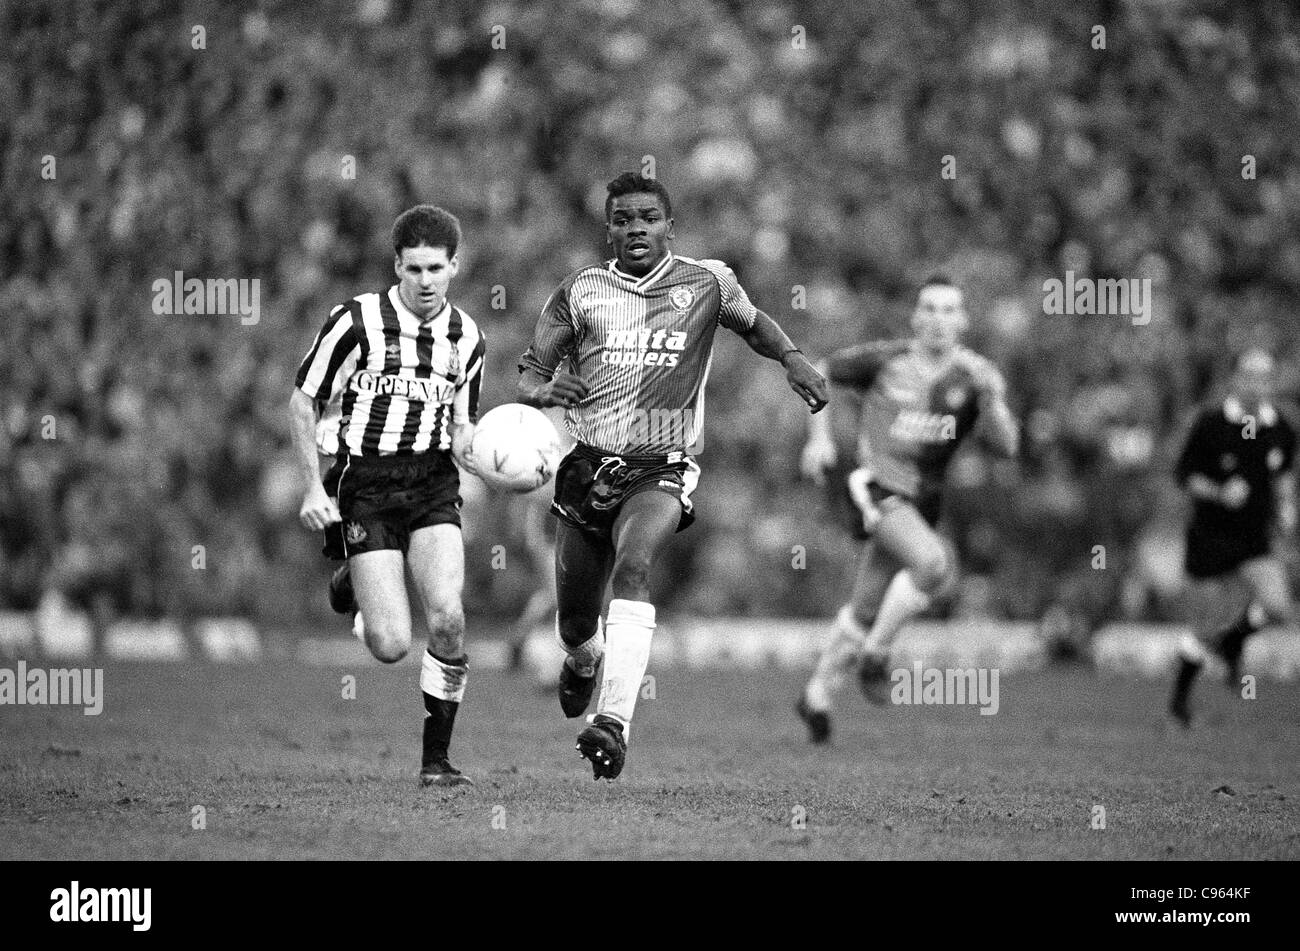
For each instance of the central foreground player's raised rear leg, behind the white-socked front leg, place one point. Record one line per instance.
(583, 564)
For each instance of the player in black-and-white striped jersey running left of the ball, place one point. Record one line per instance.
(409, 366)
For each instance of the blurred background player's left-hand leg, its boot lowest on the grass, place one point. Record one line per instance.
(844, 649)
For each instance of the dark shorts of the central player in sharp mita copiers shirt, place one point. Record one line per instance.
(592, 485)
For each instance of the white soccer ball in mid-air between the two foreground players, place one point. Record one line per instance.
(517, 449)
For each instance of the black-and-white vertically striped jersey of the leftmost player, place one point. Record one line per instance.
(404, 381)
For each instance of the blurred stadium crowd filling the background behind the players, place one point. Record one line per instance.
(813, 167)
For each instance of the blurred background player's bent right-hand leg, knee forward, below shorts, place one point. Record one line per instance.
(928, 570)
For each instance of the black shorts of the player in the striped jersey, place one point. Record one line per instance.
(384, 500)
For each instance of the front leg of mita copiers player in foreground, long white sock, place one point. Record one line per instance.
(647, 522)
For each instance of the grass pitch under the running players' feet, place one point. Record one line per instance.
(272, 763)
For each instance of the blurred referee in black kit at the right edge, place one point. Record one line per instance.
(1237, 470)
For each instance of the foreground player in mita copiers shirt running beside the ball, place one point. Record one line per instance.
(626, 348)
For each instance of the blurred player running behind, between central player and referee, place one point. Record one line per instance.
(920, 399)
